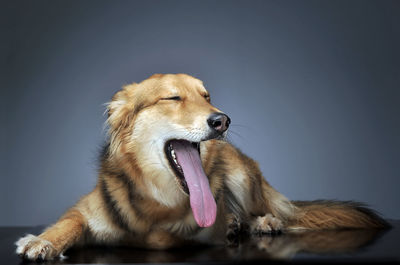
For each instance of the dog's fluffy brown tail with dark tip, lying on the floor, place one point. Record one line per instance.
(322, 214)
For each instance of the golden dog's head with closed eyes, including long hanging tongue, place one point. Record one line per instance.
(161, 122)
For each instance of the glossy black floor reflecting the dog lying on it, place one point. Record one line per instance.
(347, 246)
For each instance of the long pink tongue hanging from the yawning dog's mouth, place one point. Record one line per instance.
(201, 199)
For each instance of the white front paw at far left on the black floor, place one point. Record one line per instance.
(35, 248)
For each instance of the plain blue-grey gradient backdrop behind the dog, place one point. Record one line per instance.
(312, 87)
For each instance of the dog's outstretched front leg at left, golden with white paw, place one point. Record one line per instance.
(55, 239)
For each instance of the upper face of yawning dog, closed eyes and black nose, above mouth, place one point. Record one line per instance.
(178, 107)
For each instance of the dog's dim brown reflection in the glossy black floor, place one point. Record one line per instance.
(281, 247)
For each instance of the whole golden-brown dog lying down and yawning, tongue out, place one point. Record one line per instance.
(168, 178)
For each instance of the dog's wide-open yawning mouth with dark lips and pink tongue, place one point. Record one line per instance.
(184, 158)
